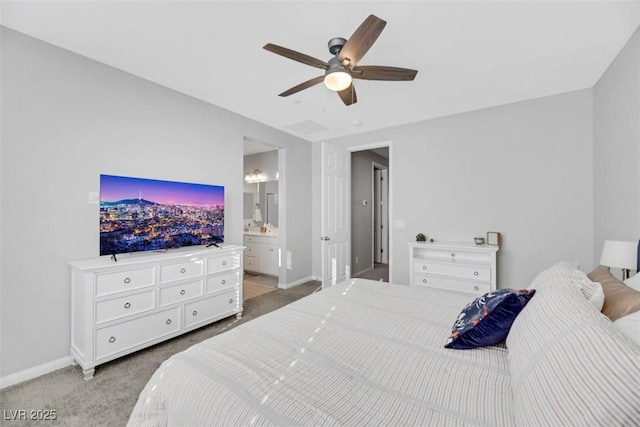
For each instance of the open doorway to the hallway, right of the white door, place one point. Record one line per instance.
(370, 213)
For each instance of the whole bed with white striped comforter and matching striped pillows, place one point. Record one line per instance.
(370, 353)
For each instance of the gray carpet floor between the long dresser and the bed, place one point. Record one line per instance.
(109, 398)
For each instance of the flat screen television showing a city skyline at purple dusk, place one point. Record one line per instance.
(139, 214)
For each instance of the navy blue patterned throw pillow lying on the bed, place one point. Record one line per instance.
(487, 320)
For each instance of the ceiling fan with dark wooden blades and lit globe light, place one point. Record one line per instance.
(342, 68)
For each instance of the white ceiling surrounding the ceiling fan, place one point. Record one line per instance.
(470, 54)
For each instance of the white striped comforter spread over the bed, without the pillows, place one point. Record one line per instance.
(359, 353)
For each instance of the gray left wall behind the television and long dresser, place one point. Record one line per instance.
(65, 120)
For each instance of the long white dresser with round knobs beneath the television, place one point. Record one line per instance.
(142, 299)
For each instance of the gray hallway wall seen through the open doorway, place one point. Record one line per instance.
(361, 217)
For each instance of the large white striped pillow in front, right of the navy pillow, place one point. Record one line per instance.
(569, 364)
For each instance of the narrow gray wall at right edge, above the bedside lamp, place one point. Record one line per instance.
(617, 149)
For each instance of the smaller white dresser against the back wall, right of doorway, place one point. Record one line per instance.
(457, 266)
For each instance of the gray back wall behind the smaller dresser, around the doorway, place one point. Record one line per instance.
(523, 169)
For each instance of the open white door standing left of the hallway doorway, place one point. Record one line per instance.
(336, 214)
